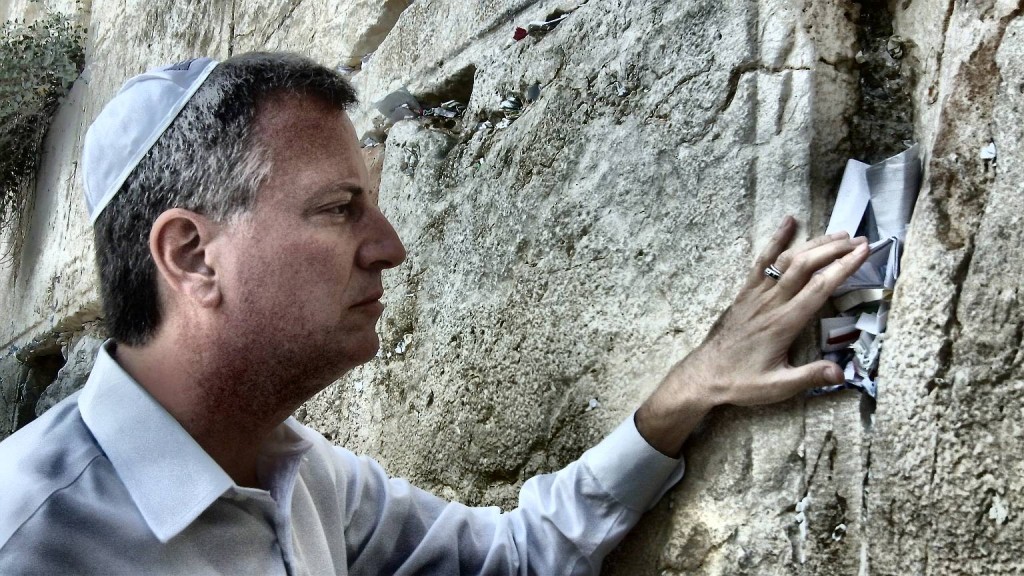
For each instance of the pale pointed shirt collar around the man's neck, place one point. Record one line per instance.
(168, 475)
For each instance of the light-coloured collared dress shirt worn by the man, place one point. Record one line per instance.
(108, 482)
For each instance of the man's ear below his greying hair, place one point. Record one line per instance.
(179, 242)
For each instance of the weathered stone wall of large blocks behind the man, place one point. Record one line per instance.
(563, 258)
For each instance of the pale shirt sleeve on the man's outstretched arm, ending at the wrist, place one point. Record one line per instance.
(566, 523)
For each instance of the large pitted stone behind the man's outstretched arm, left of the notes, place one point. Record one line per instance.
(581, 252)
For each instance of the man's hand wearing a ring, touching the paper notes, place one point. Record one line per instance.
(745, 359)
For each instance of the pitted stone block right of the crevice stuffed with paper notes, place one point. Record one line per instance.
(947, 463)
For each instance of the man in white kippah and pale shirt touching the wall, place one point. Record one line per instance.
(240, 262)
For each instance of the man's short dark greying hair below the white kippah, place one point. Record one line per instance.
(209, 161)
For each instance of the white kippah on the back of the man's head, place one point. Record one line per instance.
(132, 124)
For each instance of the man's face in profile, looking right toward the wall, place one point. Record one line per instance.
(303, 277)
